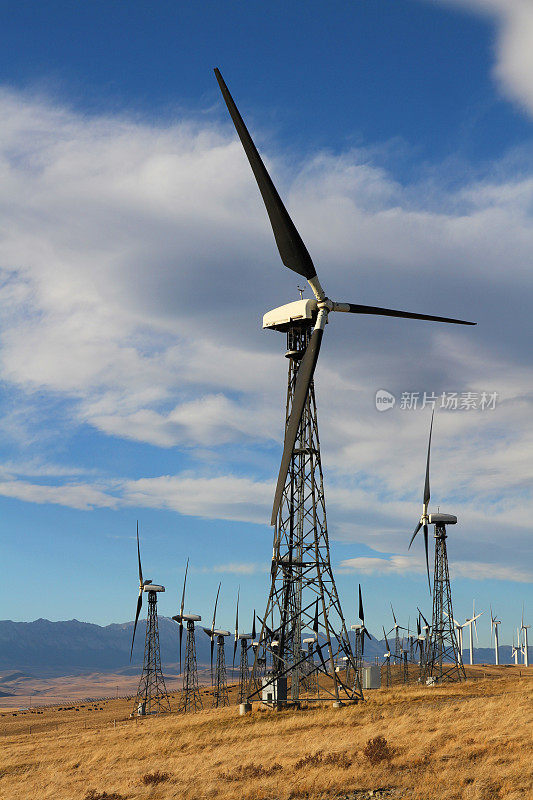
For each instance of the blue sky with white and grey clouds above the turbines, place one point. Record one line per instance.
(137, 261)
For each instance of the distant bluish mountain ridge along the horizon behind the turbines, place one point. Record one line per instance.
(42, 647)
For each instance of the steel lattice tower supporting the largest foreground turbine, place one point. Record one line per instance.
(301, 569)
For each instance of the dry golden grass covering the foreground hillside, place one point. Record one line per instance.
(471, 741)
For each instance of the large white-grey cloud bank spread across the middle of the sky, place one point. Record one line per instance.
(137, 261)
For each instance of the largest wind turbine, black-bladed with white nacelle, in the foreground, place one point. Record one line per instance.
(301, 565)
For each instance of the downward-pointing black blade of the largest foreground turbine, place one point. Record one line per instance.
(301, 388)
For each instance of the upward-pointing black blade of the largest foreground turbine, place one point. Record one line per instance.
(291, 248)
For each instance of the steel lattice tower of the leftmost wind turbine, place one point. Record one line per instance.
(152, 691)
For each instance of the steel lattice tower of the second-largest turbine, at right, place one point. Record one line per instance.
(443, 661)
